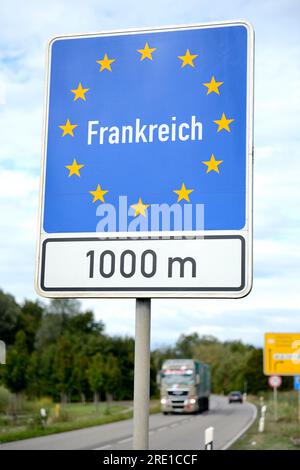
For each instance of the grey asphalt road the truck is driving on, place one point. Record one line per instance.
(166, 432)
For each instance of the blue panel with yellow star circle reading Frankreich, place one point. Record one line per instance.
(154, 118)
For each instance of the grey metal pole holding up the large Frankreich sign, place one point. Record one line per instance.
(141, 374)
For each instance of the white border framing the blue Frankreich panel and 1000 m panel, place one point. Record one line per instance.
(247, 232)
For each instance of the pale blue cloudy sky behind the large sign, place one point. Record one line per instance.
(274, 303)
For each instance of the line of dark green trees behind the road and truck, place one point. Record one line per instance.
(60, 351)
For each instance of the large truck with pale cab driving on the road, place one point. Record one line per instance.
(184, 386)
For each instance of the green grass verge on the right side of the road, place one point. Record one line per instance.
(283, 434)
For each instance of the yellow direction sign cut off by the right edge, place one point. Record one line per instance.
(282, 354)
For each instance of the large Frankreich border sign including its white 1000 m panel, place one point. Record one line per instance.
(147, 164)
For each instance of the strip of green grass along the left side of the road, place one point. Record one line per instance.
(72, 416)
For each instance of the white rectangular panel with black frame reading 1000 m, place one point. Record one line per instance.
(151, 265)
